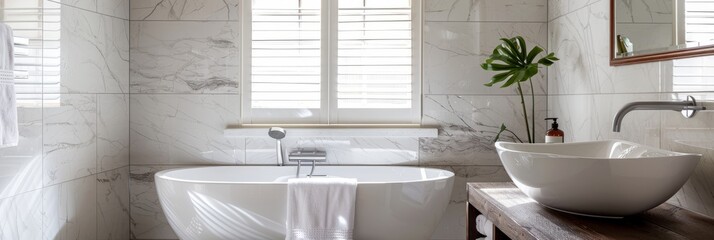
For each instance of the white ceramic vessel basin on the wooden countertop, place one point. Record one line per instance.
(610, 178)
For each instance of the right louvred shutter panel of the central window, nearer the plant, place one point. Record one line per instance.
(374, 54)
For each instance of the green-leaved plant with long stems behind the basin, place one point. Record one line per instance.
(517, 65)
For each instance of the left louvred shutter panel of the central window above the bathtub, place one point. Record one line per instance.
(286, 54)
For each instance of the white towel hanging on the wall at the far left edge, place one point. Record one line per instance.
(9, 134)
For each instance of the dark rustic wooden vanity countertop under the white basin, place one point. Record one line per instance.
(520, 217)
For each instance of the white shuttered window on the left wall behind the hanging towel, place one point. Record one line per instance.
(36, 30)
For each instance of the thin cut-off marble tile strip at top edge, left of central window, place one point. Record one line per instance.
(185, 10)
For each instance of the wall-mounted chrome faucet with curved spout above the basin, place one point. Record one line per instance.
(688, 109)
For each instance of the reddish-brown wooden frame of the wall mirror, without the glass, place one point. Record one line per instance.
(652, 57)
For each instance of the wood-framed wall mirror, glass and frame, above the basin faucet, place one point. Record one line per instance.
(656, 30)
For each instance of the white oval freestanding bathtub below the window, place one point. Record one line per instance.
(249, 202)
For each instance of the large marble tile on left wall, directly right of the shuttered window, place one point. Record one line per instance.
(99, 47)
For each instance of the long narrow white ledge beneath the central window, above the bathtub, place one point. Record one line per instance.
(336, 132)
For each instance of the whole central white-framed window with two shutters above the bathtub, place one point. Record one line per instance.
(331, 62)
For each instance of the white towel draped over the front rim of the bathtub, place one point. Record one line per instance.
(321, 208)
